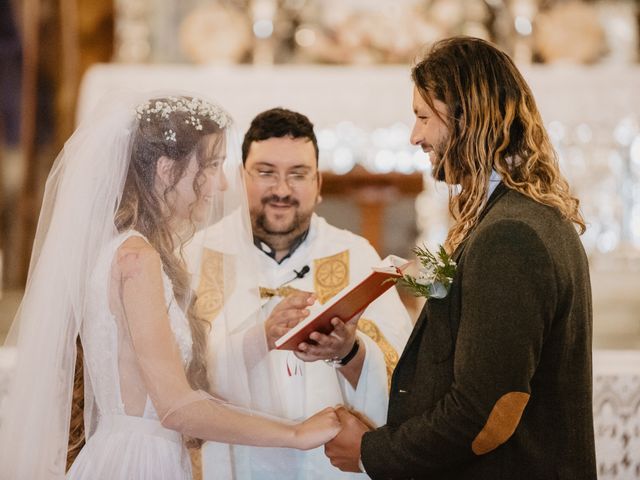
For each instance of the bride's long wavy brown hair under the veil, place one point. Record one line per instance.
(176, 133)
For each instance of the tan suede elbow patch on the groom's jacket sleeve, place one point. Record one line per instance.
(502, 422)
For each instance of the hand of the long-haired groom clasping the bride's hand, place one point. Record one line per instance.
(344, 449)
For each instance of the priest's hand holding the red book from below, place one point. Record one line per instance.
(336, 345)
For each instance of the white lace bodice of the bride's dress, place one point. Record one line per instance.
(101, 338)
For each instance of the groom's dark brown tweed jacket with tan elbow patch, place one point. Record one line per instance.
(495, 380)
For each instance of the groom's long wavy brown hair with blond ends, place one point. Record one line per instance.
(494, 124)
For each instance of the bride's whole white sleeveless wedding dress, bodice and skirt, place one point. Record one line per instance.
(126, 439)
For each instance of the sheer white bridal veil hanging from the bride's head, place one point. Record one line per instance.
(76, 224)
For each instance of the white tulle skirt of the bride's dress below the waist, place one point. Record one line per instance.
(126, 447)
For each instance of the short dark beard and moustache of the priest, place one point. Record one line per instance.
(280, 237)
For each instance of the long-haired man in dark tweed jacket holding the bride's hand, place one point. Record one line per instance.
(495, 381)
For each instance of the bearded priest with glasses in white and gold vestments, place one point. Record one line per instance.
(298, 258)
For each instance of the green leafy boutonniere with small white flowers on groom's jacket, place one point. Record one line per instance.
(435, 275)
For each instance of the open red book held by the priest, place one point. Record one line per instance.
(346, 304)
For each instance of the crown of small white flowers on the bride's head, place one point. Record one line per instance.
(198, 109)
